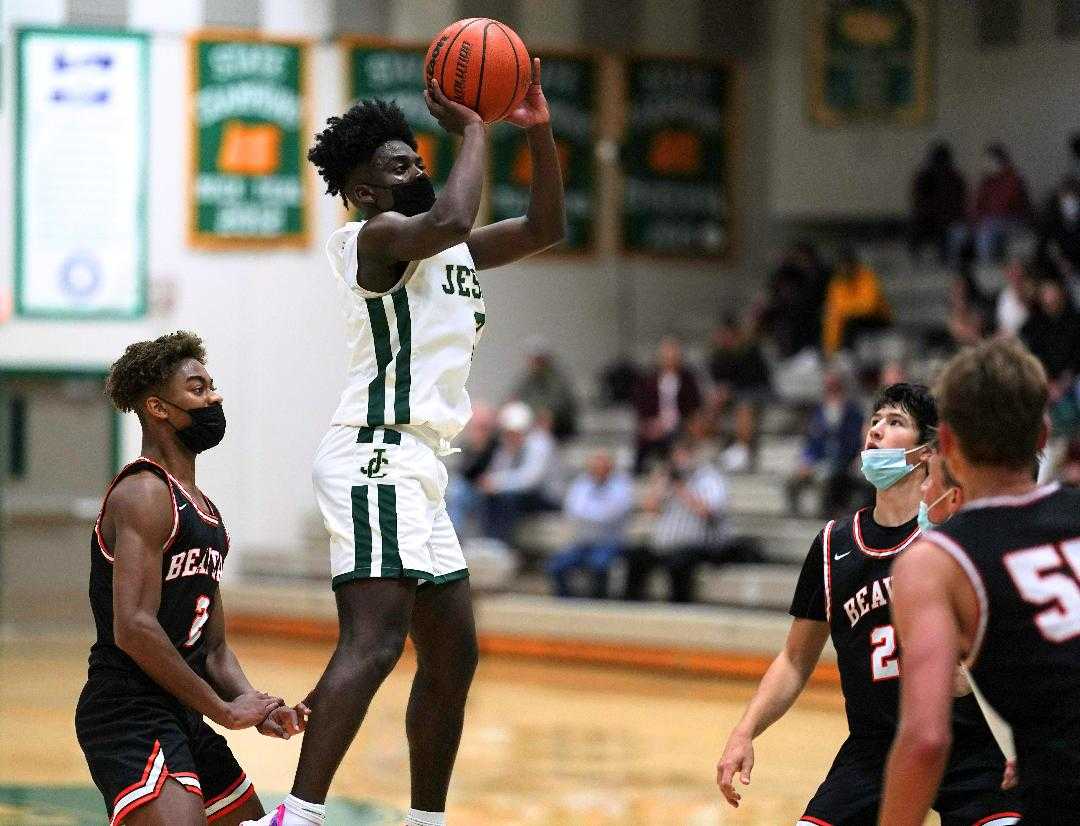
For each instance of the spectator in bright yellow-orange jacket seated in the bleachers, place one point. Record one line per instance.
(854, 305)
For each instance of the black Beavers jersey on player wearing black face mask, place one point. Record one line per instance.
(192, 562)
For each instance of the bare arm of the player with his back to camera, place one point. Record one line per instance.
(931, 640)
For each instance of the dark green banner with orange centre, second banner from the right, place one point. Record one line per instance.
(676, 156)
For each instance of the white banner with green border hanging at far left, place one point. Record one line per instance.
(82, 128)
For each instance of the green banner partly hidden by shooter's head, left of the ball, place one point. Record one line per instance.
(396, 73)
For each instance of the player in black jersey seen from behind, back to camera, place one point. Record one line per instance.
(997, 585)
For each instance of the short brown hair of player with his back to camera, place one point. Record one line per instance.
(994, 399)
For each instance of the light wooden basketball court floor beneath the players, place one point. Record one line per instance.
(546, 744)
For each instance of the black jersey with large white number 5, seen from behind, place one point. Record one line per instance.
(1022, 556)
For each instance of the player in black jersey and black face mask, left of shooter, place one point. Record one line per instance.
(161, 662)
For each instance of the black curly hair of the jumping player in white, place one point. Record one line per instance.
(352, 140)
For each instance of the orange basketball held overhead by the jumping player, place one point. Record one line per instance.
(482, 64)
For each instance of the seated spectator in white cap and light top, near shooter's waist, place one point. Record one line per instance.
(522, 478)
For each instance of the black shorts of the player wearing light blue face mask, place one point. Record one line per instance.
(970, 794)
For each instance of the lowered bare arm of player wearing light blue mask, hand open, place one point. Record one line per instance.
(778, 692)
